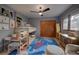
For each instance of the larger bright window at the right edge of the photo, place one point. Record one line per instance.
(74, 22)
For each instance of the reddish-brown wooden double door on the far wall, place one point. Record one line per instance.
(48, 28)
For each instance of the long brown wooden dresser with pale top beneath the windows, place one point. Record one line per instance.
(65, 39)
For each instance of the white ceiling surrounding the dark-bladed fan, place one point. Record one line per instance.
(55, 9)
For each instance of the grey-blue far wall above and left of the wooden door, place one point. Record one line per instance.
(36, 22)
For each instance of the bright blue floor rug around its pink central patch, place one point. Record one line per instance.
(33, 49)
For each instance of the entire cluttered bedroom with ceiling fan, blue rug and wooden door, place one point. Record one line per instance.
(35, 29)
